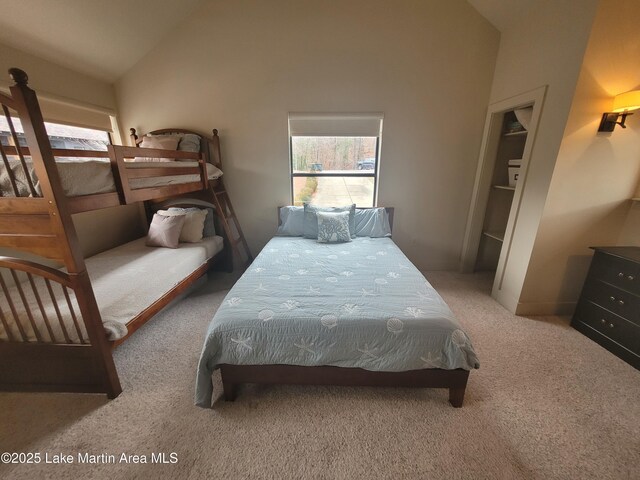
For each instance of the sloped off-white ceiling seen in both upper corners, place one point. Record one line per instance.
(105, 38)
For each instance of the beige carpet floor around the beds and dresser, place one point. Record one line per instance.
(547, 403)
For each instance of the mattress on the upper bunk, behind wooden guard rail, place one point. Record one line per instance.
(87, 177)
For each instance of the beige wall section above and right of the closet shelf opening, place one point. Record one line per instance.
(544, 48)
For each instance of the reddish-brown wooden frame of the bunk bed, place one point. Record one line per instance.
(41, 225)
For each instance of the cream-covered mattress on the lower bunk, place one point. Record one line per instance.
(125, 281)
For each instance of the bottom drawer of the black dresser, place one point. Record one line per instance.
(610, 325)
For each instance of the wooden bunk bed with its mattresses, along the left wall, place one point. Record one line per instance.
(57, 330)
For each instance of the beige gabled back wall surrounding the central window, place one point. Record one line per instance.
(241, 66)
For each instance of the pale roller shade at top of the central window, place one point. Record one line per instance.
(335, 124)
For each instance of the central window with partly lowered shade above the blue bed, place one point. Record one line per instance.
(335, 158)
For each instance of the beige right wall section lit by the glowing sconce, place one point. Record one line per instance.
(595, 175)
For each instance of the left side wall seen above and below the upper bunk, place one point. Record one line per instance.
(101, 229)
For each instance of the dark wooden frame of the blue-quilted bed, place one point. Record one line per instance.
(454, 380)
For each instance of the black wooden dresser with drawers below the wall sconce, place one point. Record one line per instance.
(608, 310)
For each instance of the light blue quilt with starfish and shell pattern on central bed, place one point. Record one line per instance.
(361, 304)
